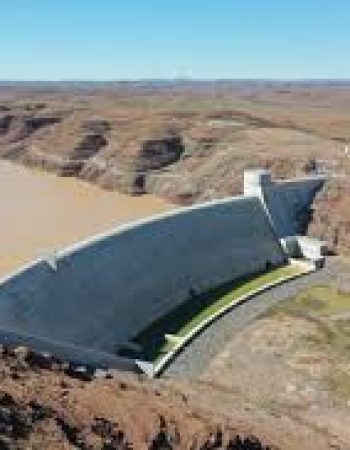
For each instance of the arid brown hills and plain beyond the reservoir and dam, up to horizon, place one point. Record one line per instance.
(186, 142)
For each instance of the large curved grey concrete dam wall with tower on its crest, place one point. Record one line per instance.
(90, 300)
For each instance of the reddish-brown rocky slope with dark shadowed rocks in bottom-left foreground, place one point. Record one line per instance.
(48, 404)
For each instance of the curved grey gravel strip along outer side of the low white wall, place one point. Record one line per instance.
(194, 358)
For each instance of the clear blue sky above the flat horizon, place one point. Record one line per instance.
(121, 39)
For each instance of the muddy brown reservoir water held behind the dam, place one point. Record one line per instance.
(41, 212)
